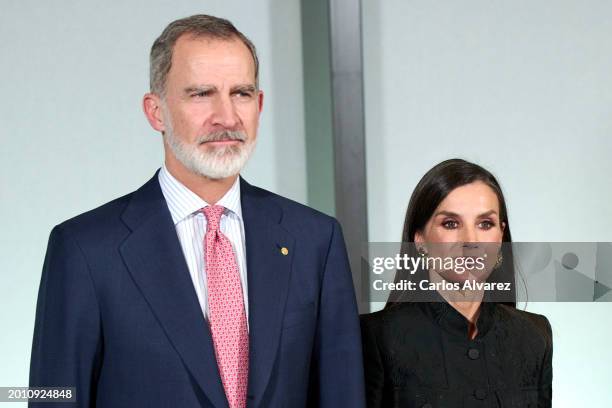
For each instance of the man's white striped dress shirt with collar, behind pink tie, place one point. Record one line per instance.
(190, 224)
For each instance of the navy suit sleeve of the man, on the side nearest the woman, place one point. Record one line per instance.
(337, 368)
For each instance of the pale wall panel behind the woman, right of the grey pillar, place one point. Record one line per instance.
(523, 88)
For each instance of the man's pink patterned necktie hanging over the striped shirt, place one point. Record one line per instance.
(227, 317)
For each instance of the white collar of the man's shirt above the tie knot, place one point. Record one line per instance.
(182, 202)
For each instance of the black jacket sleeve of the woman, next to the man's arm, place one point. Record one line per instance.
(373, 366)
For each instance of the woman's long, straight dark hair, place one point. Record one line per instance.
(433, 188)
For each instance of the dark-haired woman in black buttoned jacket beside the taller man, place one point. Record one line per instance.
(450, 347)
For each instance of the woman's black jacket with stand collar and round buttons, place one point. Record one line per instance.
(419, 355)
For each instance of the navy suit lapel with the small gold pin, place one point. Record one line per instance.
(268, 271)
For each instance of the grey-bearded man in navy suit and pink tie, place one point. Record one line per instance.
(199, 289)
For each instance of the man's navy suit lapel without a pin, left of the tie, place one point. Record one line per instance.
(156, 262)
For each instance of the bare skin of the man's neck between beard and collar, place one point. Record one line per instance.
(209, 190)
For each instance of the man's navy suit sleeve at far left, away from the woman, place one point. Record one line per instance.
(67, 345)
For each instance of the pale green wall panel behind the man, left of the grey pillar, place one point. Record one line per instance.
(73, 133)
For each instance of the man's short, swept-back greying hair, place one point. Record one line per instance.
(198, 26)
